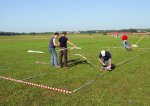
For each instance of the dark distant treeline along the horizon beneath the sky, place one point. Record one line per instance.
(85, 32)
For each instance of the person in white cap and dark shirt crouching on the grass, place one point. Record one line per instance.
(105, 56)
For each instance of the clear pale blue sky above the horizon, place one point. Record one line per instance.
(70, 15)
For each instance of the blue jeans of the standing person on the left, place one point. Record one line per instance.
(54, 61)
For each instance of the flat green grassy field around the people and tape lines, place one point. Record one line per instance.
(127, 84)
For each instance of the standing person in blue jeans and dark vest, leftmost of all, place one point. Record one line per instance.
(52, 46)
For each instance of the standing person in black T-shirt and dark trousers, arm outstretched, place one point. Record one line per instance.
(63, 40)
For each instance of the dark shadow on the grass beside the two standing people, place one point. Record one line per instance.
(75, 62)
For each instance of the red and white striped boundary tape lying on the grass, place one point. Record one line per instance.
(37, 85)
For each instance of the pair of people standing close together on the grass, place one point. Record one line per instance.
(62, 44)
